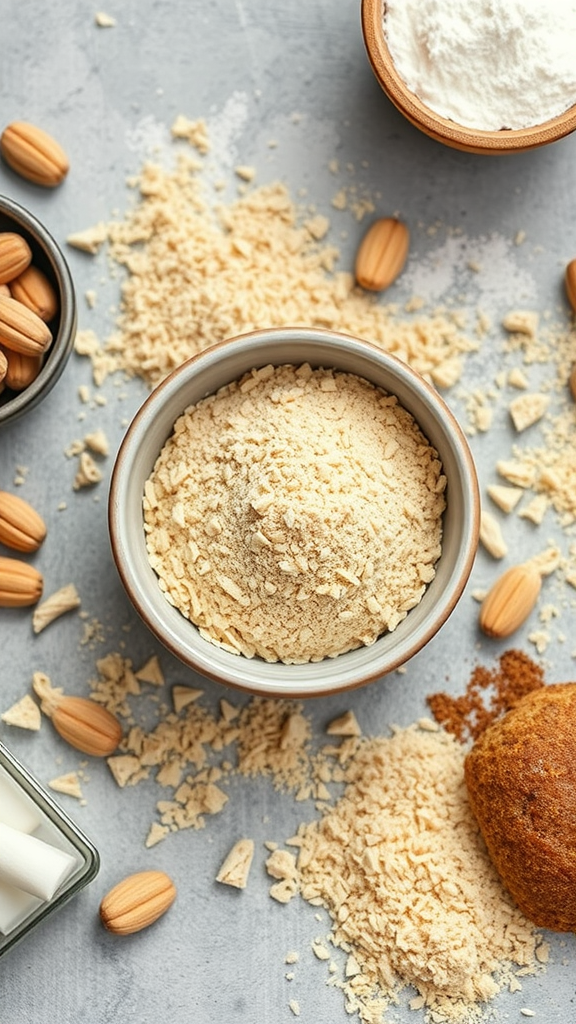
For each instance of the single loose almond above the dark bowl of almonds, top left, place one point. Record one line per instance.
(34, 154)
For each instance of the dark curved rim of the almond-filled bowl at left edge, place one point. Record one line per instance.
(63, 344)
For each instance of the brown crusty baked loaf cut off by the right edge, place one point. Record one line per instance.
(521, 778)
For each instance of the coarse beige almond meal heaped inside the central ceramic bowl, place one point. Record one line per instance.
(296, 516)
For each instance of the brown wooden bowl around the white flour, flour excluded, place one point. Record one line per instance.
(452, 135)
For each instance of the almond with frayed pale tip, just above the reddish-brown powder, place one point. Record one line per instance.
(510, 602)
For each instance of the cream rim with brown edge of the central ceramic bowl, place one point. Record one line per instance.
(294, 680)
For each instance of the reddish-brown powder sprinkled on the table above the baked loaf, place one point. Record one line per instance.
(489, 695)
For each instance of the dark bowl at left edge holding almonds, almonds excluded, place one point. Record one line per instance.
(48, 257)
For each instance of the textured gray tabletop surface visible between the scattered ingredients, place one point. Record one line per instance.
(109, 96)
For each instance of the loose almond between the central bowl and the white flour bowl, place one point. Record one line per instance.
(382, 254)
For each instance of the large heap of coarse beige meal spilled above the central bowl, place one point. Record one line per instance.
(200, 271)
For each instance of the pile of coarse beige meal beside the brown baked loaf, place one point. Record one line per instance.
(402, 870)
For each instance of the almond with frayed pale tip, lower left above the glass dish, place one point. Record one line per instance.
(88, 727)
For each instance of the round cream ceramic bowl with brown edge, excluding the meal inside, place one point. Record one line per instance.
(202, 376)
